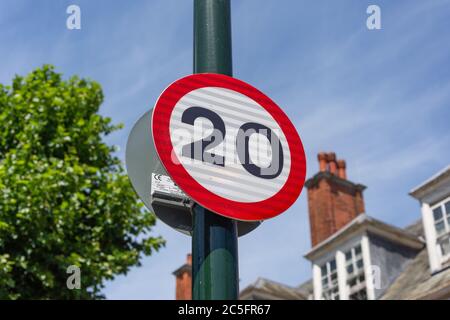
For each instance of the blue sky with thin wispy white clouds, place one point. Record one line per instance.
(380, 99)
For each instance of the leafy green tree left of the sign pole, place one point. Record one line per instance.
(65, 199)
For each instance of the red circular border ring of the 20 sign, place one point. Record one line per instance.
(247, 211)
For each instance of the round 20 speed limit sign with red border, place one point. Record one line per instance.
(228, 146)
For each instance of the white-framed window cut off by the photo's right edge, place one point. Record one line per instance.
(441, 216)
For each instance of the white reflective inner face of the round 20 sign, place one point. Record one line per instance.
(223, 113)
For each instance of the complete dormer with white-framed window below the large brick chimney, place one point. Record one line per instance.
(352, 264)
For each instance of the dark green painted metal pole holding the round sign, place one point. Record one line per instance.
(215, 273)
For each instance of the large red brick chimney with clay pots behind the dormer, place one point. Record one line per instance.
(333, 201)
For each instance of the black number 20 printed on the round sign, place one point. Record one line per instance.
(242, 143)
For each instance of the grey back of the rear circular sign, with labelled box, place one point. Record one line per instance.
(154, 186)
